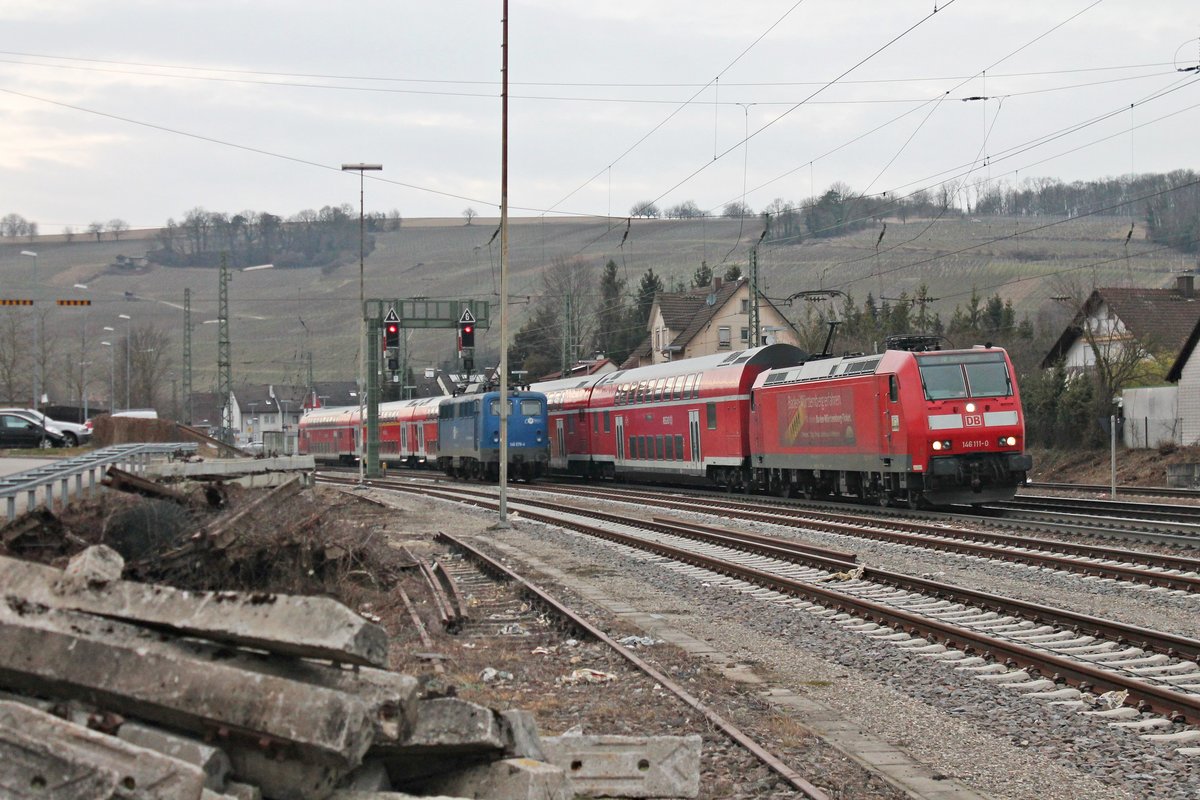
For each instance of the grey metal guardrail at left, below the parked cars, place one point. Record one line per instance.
(38, 486)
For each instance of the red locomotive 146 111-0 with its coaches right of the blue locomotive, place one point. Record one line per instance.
(904, 428)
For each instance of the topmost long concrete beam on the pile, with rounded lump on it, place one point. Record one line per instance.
(305, 628)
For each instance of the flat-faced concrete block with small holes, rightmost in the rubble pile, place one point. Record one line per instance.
(628, 767)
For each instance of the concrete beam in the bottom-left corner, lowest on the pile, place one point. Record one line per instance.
(49, 757)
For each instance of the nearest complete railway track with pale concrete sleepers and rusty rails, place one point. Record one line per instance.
(1051, 653)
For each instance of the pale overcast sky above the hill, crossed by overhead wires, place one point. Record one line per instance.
(145, 110)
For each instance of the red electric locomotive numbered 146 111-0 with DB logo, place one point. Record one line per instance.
(935, 428)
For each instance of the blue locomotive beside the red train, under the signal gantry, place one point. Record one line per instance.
(470, 436)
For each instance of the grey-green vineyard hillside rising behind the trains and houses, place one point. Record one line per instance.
(281, 316)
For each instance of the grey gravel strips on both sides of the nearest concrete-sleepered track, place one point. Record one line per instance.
(991, 739)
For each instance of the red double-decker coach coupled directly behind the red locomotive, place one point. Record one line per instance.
(681, 420)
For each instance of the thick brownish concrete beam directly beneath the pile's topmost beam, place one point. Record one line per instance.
(155, 678)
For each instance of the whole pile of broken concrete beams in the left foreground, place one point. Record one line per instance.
(113, 689)
